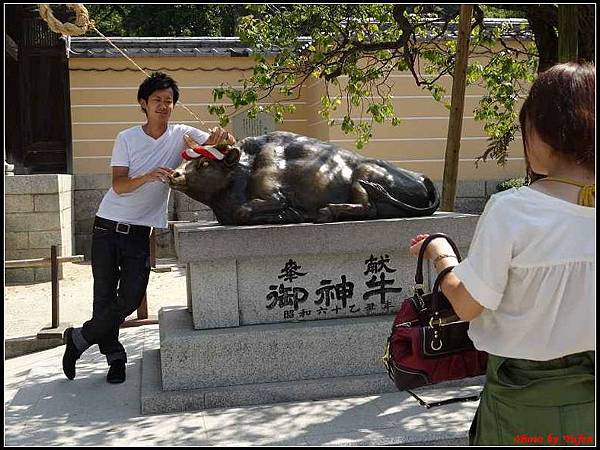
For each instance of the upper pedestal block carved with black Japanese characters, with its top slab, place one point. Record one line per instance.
(248, 275)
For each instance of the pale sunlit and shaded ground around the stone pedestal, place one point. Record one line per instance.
(43, 408)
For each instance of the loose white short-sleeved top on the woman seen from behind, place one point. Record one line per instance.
(531, 265)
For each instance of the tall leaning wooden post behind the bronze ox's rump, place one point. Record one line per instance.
(456, 109)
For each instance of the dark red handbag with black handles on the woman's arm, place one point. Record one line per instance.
(429, 343)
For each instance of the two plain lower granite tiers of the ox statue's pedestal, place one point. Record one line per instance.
(203, 369)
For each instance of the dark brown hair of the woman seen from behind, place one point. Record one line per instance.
(560, 107)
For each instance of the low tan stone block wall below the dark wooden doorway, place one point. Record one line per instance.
(38, 214)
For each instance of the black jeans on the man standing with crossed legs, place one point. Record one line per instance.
(121, 269)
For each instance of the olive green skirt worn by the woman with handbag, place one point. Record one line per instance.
(537, 402)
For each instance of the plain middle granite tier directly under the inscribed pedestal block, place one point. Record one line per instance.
(254, 354)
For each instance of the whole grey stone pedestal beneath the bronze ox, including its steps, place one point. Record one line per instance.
(276, 310)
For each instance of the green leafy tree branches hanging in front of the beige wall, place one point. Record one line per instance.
(333, 56)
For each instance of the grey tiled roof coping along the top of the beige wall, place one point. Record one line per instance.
(97, 47)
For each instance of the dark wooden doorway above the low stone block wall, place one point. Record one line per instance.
(37, 102)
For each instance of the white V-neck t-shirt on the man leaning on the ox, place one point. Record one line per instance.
(148, 204)
